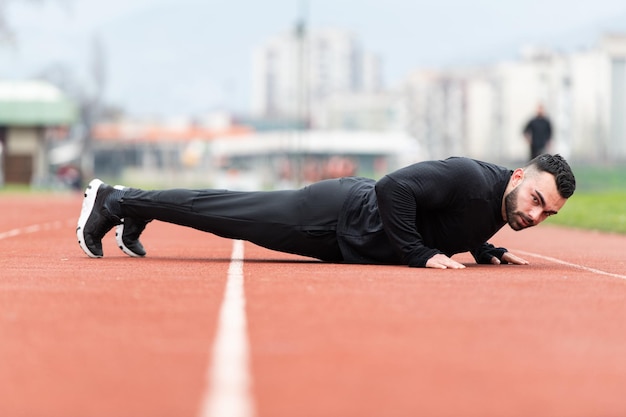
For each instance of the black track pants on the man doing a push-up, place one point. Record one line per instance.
(300, 221)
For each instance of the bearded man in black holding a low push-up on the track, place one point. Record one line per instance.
(418, 216)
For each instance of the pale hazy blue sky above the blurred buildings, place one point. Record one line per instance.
(190, 57)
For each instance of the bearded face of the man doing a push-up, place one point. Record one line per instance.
(532, 201)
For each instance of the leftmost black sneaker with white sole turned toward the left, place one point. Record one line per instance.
(95, 218)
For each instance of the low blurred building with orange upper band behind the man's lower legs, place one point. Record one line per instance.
(164, 152)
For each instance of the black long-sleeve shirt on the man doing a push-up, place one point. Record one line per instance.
(431, 207)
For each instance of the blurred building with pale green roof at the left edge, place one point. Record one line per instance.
(33, 115)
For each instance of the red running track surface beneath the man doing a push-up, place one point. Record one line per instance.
(134, 337)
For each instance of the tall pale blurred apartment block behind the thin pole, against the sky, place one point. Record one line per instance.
(295, 73)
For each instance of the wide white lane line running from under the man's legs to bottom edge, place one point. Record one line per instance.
(229, 389)
